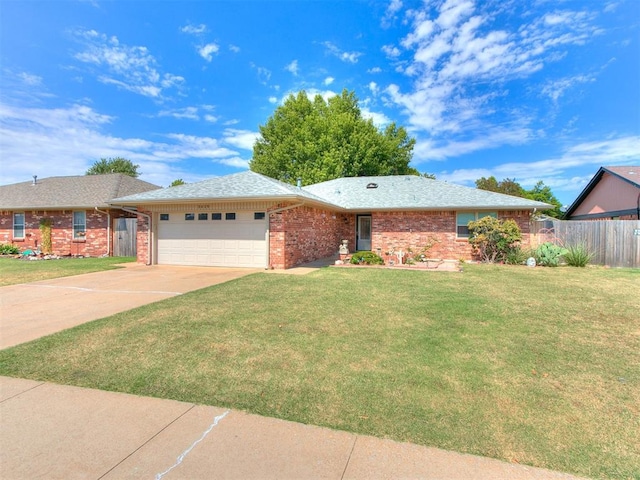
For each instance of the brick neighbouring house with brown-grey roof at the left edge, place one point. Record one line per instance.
(77, 209)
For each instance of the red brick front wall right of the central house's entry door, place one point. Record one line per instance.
(393, 231)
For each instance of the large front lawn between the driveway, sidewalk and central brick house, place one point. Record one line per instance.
(537, 366)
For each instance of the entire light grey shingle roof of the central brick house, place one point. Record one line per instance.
(354, 193)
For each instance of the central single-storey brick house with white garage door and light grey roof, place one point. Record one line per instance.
(249, 220)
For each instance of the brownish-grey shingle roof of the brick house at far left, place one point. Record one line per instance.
(86, 191)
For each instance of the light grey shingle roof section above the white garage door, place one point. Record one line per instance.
(243, 185)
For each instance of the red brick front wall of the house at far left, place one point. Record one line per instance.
(94, 244)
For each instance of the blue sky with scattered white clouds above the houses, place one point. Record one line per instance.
(531, 90)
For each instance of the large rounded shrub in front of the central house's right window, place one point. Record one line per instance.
(491, 239)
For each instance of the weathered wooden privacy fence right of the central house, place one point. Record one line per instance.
(615, 243)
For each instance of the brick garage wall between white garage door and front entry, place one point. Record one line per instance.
(305, 234)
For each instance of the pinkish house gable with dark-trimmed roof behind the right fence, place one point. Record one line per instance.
(612, 194)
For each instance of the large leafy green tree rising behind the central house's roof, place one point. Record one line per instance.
(318, 140)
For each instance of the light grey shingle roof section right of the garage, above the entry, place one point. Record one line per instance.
(404, 192)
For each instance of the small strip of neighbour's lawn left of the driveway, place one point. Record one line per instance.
(14, 271)
